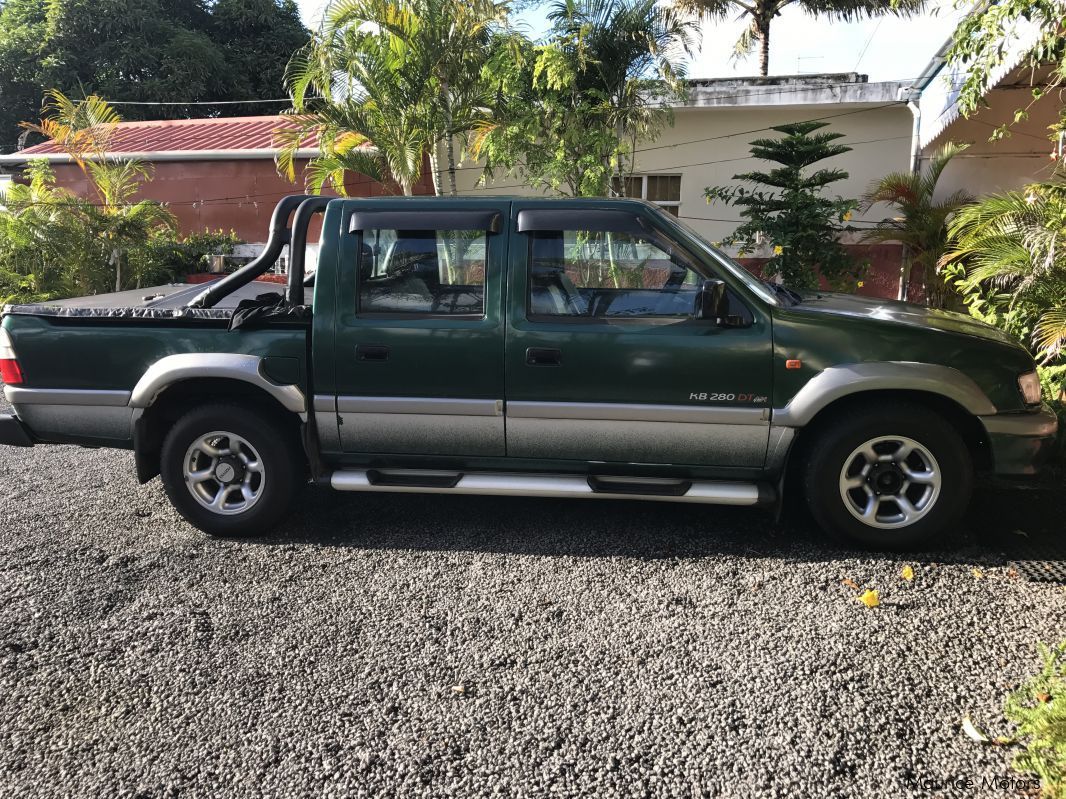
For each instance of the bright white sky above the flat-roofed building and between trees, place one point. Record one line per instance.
(887, 50)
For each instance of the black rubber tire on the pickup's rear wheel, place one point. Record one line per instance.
(273, 483)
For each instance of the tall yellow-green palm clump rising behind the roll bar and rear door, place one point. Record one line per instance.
(386, 84)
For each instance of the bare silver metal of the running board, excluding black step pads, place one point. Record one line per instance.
(710, 493)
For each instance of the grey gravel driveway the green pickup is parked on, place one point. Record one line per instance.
(419, 646)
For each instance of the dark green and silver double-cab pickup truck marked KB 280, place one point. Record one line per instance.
(543, 348)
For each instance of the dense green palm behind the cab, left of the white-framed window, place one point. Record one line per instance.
(567, 113)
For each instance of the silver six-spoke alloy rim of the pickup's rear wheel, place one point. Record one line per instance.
(224, 474)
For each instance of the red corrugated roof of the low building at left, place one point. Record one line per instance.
(191, 136)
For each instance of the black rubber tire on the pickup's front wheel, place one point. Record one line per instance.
(941, 449)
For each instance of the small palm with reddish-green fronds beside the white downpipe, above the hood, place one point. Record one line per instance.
(922, 222)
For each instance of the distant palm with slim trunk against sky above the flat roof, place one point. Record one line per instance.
(762, 13)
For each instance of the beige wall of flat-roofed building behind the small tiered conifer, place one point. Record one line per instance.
(708, 146)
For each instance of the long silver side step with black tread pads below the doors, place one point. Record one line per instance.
(712, 493)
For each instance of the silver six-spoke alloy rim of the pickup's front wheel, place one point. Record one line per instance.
(891, 482)
